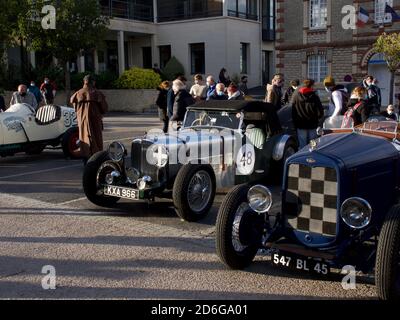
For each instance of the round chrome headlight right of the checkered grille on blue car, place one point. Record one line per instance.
(356, 213)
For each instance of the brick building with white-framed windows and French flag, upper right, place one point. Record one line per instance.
(311, 41)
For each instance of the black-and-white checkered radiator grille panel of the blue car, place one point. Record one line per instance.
(311, 200)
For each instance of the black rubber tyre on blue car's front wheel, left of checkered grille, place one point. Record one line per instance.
(225, 240)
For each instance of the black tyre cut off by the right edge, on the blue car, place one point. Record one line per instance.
(387, 268)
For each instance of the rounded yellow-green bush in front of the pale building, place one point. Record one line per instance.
(137, 78)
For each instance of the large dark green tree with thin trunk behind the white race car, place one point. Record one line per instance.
(79, 27)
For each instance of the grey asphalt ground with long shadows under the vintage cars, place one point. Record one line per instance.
(134, 251)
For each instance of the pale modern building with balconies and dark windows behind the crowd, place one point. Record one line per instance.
(204, 35)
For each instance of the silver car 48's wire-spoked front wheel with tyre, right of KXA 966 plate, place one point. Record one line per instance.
(187, 183)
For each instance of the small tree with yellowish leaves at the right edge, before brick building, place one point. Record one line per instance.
(389, 46)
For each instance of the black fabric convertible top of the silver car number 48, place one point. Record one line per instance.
(267, 111)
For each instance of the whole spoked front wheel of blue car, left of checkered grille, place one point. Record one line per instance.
(239, 230)
